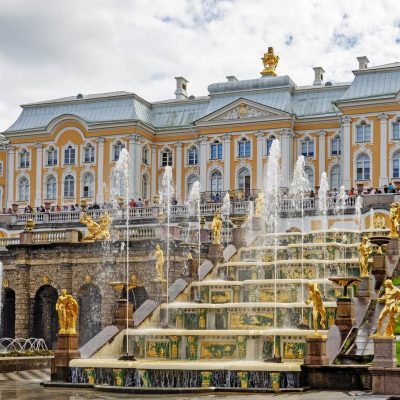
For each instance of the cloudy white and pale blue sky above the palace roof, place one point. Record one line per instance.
(52, 49)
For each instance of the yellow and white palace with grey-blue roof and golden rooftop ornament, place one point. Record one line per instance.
(62, 151)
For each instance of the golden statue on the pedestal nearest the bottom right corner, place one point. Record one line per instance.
(391, 308)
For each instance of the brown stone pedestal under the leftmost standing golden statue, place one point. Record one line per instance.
(66, 350)
